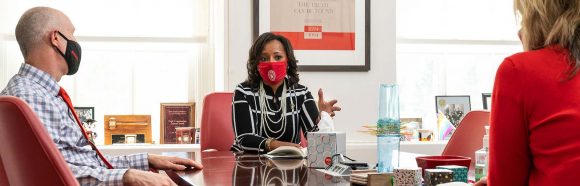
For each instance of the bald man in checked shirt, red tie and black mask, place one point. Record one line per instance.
(50, 51)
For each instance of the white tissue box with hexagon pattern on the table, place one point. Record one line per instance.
(321, 147)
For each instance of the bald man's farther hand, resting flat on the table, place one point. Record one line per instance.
(171, 163)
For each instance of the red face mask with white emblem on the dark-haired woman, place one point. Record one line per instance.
(272, 72)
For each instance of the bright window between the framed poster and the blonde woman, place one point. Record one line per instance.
(450, 47)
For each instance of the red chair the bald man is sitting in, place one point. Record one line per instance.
(28, 156)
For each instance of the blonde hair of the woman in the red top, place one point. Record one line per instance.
(551, 22)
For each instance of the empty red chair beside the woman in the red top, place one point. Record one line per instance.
(468, 137)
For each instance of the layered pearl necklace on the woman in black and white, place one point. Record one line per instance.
(265, 108)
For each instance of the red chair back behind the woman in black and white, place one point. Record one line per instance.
(216, 122)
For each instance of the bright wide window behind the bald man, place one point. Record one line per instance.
(136, 53)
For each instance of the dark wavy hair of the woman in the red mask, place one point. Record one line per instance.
(254, 58)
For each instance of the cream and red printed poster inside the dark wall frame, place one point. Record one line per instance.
(315, 24)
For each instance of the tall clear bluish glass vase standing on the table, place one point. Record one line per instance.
(388, 128)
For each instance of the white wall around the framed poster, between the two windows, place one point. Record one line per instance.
(357, 92)
